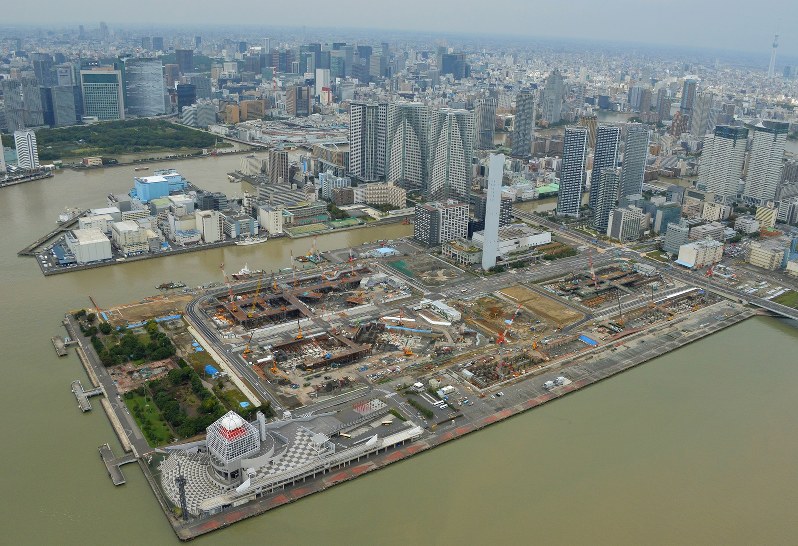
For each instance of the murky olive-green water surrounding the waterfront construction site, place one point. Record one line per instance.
(693, 447)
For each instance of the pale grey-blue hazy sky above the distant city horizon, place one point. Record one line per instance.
(744, 25)
